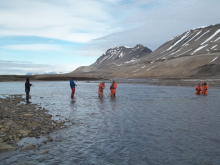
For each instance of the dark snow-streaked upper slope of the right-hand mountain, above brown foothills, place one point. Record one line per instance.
(193, 42)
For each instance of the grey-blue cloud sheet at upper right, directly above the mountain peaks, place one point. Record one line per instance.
(153, 22)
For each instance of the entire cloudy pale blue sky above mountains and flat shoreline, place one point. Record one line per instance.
(53, 35)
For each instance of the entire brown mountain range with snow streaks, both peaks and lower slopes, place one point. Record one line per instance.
(193, 54)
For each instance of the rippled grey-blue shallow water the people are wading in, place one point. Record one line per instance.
(142, 125)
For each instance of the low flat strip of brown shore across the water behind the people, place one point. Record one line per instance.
(150, 81)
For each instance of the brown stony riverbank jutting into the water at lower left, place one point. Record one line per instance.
(19, 120)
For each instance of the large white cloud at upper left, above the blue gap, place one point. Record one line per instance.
(76, 21)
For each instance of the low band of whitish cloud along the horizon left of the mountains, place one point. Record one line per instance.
(21, 68)
